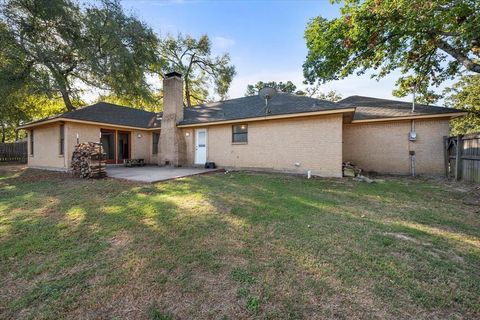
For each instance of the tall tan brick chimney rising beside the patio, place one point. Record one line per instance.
(172, 142)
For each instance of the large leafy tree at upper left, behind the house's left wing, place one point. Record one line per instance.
(69, 48)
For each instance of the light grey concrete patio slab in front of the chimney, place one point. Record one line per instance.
(152, 174)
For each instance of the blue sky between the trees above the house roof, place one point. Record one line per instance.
(264, 38)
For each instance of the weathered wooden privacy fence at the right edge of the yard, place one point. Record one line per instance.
(462, 157)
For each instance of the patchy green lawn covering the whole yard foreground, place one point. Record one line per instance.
(238, 245)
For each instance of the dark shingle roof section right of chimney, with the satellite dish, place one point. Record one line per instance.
(253, 106)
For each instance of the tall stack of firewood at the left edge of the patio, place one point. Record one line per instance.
(89, 161)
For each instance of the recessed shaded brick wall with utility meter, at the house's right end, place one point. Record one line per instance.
(384, 147)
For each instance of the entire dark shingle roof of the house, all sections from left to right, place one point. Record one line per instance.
(366, 108)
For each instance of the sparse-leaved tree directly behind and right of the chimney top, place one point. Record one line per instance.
(201, 71)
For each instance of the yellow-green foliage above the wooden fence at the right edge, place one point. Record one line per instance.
(465, 95)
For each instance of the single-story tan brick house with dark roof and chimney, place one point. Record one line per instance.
(292, 134)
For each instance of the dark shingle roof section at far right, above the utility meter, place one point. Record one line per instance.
(373, 108)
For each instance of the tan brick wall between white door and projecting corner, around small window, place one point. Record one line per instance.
(314, 143)
